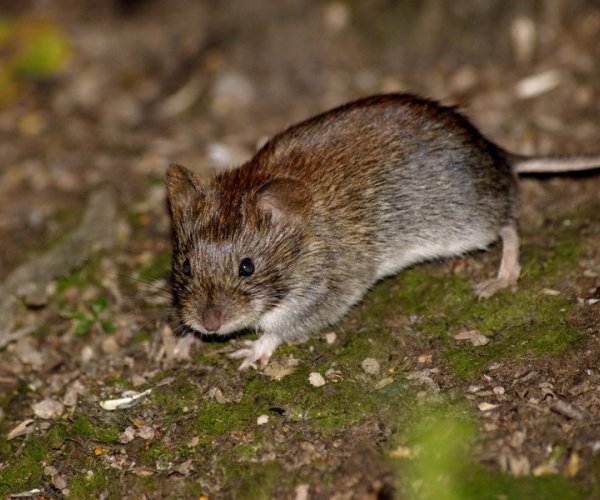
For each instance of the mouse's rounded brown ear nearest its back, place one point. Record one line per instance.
(283, 199)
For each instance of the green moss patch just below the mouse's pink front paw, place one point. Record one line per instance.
(328, 409)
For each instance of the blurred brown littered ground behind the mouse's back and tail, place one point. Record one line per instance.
(110, 92)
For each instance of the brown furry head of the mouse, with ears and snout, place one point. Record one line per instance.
(239, 246)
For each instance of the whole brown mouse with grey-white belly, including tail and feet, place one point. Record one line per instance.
(288, 242)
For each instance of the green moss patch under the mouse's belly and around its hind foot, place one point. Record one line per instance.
(524, 323)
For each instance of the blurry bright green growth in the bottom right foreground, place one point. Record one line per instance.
(441, 439)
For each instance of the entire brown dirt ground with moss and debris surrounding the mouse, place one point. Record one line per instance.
(386, 404)
